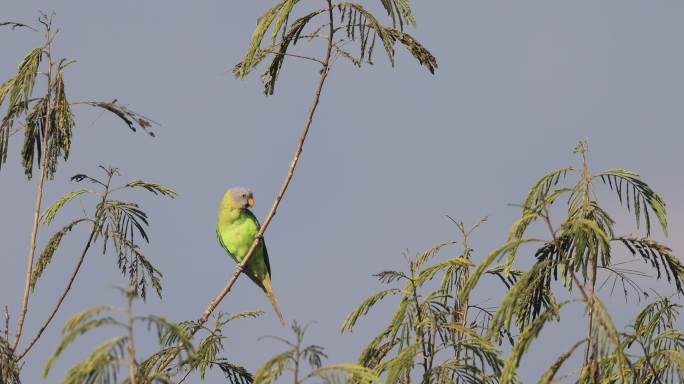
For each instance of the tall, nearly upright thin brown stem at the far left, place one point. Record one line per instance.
(39, 196)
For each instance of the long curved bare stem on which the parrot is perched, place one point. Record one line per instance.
(279, 196)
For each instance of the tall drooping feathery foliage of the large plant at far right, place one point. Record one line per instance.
(577, 250)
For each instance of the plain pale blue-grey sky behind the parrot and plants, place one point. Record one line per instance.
(391, 152)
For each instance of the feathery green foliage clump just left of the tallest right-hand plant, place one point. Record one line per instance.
(435, 332)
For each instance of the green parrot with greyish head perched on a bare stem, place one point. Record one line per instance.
(236, 227)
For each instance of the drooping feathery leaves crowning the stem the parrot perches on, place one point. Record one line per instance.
(340, 24)
